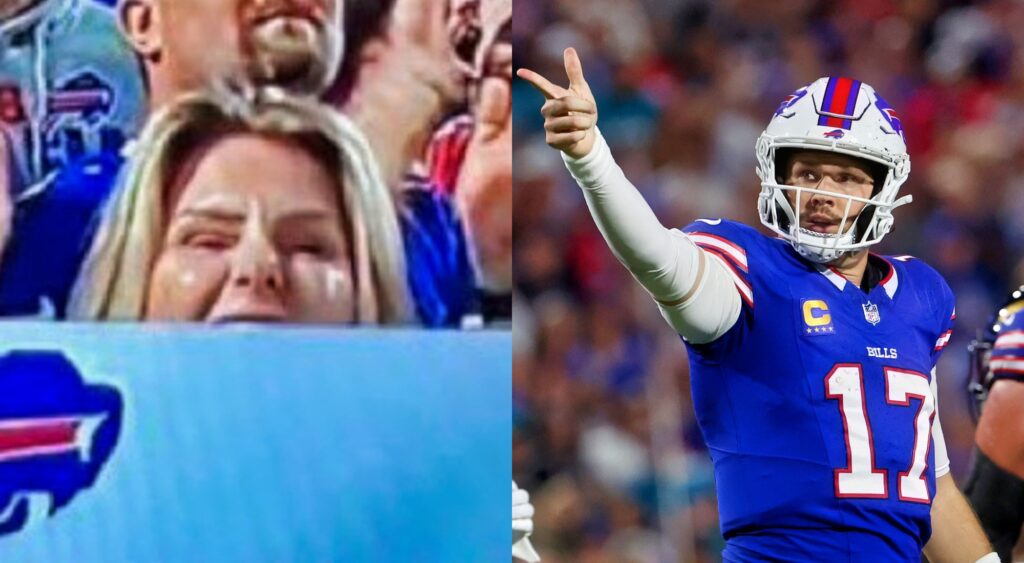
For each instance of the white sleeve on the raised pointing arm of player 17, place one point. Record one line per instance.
(694, 289)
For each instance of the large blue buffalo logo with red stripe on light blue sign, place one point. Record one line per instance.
(57, 432)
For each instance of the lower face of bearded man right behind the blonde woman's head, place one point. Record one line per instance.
(295, 44)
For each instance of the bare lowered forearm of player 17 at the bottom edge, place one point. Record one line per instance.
(957, 536)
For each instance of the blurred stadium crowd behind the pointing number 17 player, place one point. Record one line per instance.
(605, 437)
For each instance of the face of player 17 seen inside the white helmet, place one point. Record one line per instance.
(832, 174)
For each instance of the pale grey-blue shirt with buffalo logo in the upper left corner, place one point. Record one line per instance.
(71, 89)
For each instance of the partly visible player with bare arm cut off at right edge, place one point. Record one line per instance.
(996, 487)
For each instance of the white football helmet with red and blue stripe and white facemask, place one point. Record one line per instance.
(847, 117)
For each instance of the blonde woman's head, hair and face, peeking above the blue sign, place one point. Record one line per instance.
(247, 208)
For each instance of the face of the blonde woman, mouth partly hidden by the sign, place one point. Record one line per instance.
(254, 234)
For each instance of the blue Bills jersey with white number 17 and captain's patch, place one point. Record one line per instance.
(818, 406)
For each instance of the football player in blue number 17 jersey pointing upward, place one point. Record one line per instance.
(812, 361)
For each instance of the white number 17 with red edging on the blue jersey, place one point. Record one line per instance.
(861, 479)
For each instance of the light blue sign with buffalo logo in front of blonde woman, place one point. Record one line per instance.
(127, 444)
